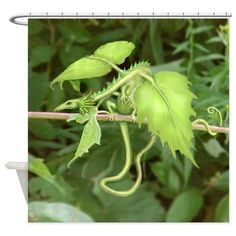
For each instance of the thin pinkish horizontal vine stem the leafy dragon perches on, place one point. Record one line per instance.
(112, 117)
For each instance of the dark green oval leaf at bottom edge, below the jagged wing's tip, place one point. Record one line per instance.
(185, 206)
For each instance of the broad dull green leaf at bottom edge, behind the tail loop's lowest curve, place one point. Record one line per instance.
(141, 206)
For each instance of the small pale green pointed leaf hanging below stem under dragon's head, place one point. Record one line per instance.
(91, 135)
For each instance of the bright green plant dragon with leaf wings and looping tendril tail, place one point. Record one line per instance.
(162, 100)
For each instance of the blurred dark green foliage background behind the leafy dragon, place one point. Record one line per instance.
(172, 190)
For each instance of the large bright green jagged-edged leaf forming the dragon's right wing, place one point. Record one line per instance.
(171, 122)
